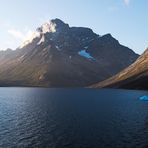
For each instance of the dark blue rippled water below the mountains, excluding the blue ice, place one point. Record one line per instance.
(72, 118)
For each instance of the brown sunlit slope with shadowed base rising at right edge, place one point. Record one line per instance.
(133, 77)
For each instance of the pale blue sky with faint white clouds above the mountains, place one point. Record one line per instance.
(126, 20)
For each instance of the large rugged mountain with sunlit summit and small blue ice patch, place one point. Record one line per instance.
(57, 55)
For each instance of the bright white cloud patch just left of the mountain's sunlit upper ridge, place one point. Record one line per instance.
(20, 35)
